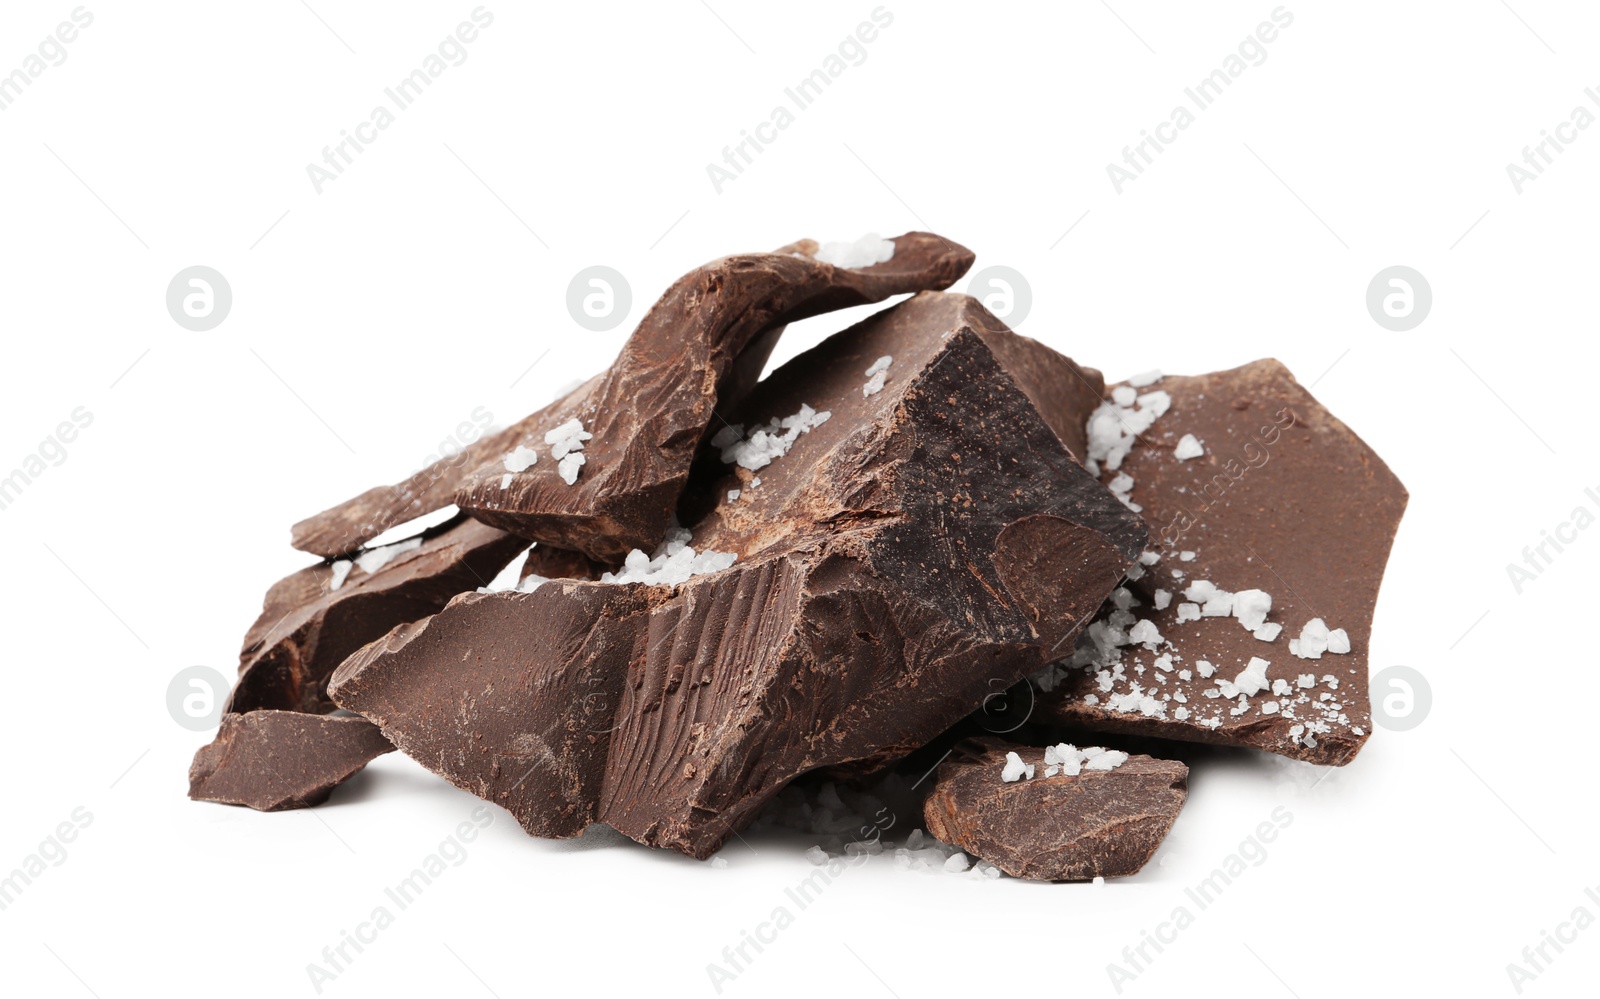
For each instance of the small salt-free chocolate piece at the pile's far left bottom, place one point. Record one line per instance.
(282, 760)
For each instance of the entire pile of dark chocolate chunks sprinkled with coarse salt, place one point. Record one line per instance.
(734, 582)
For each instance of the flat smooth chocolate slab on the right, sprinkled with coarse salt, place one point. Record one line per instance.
(1284, 500)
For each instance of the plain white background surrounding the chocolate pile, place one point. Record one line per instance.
(374, 318)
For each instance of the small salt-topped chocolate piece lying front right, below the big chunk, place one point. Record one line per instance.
(1097, 824)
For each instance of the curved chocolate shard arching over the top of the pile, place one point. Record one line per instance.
(654, 407)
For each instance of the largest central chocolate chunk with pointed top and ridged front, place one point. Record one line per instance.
(924, 547)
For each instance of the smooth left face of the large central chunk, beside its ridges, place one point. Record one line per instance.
(510, 696)
